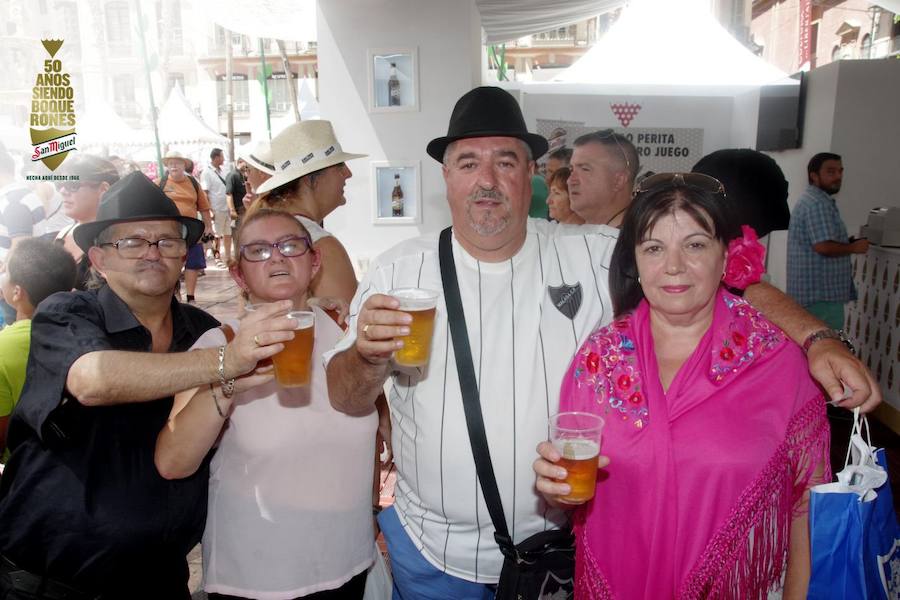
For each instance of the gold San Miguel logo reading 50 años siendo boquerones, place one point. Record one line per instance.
(52, 111)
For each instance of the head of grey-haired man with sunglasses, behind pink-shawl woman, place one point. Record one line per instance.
(604, 165)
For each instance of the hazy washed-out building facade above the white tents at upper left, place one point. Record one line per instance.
(102, 54)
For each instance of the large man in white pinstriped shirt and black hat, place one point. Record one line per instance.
(531, 291)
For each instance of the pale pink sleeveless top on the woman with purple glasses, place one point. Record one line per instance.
(290, 490)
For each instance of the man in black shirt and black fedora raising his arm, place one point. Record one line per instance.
(83, 511)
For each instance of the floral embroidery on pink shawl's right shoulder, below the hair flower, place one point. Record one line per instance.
(739, 342)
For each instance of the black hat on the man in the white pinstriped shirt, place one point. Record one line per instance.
(487, 112)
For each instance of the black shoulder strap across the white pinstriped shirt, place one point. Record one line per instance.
(469, 386)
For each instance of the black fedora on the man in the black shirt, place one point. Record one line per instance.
(135, 198)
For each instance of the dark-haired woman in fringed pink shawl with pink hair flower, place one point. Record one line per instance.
(714, 428)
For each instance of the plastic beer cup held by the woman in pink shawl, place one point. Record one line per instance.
(576, 436)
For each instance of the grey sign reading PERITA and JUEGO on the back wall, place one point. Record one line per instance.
(660, 149)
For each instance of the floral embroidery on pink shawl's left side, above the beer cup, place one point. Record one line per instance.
(607, 364)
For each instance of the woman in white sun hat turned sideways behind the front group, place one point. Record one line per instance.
(310, 173)
